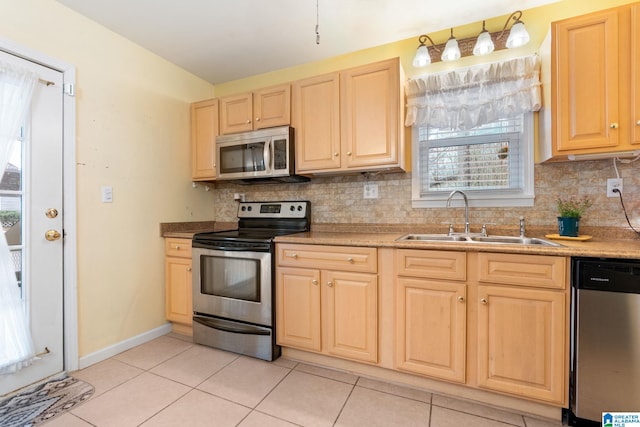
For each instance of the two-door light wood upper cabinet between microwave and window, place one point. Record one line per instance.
(350, 121)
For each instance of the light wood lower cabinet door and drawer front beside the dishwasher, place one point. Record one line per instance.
(523, 325)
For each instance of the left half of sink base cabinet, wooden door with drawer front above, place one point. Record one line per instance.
(431, 313)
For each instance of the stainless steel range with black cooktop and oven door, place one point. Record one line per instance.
(234, 277)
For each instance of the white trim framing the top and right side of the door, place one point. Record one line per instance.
(71, 352)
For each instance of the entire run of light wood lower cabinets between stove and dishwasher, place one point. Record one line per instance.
(492, 321)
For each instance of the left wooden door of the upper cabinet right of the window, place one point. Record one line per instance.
(585, 84)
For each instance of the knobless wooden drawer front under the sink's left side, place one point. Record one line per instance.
(432, 264)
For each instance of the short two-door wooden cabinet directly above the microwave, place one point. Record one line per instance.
(260, 109)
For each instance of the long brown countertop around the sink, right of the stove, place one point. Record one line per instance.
(595, 247)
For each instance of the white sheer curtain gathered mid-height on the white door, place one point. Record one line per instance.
(16, 347)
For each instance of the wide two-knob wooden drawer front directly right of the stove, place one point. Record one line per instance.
(328, 257)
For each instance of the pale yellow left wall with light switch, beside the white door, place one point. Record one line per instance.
(133, 134)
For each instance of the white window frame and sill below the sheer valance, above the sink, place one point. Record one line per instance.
(500, 198)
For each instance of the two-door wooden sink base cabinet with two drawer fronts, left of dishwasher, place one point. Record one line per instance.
(505, 316)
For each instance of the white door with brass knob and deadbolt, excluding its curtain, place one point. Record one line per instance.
(32, 185)
